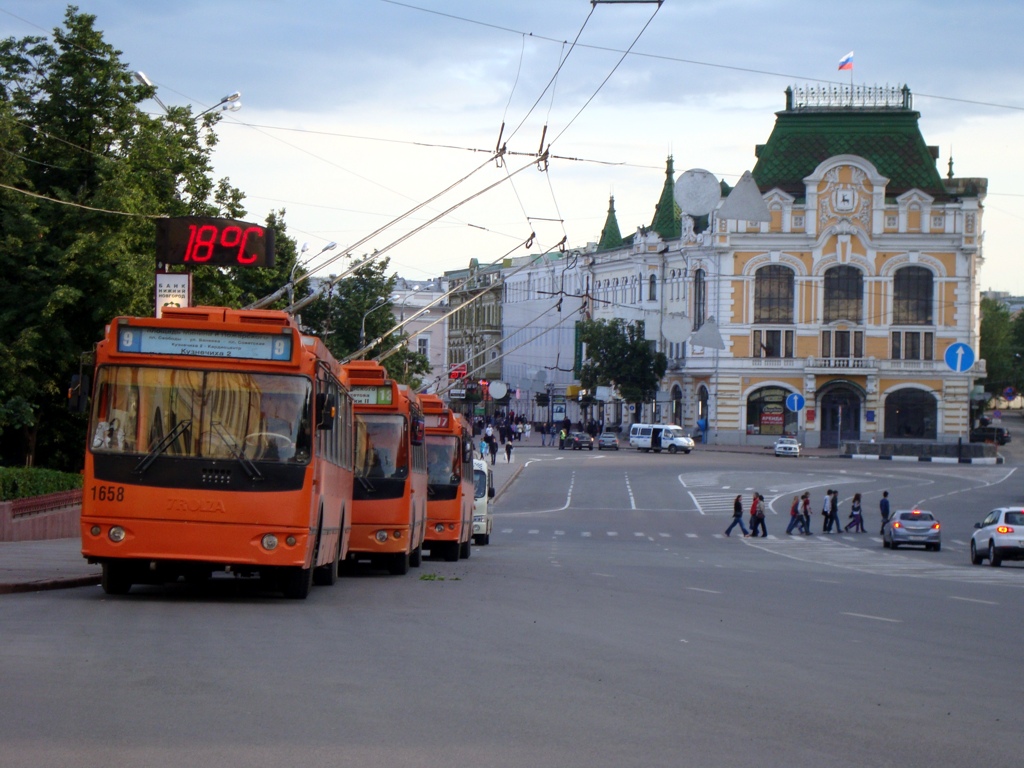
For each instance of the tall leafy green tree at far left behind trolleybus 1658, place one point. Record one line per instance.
(76, 243)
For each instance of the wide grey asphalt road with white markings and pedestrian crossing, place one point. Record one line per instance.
(609, 624)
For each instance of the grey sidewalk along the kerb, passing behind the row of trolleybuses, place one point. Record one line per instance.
(58, 564)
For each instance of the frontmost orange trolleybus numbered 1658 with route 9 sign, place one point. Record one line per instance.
(220, 440)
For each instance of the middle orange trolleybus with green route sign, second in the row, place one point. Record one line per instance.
(390, 493)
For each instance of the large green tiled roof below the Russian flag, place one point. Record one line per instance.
(889, 139)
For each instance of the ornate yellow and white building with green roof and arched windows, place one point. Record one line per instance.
(849, 296)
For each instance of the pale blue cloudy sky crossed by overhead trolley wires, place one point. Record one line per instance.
(356, 111)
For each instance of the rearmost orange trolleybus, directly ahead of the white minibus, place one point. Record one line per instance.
(450, 482)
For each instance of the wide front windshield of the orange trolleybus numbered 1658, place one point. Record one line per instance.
(201, 414)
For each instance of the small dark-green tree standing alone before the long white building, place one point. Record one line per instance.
(619, 356)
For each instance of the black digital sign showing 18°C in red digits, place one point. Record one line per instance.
(203, 240)
